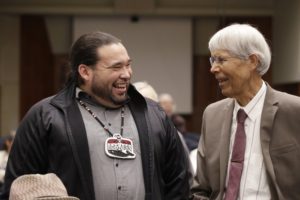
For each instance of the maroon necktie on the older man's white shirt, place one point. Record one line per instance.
(237, 158)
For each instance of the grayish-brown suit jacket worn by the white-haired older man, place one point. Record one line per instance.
(280, 141)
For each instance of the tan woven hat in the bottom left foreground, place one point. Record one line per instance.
(38, 186)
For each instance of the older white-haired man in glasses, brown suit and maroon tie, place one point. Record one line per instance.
(249, 141)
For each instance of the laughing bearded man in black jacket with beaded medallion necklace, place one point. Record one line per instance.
(102, 138)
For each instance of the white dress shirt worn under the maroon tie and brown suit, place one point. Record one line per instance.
(254, 183)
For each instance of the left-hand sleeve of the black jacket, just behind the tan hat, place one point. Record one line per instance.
(28, 152)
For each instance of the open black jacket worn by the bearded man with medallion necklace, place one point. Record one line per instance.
(52, 139)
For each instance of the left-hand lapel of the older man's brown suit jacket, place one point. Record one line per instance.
(225, 141)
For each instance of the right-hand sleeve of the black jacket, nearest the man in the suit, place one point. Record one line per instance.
(176, 174)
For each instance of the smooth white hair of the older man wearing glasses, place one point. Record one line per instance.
(243, 40)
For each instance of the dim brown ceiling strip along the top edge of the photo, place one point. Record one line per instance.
(141, 7)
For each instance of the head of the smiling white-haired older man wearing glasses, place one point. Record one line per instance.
(240, 55)
